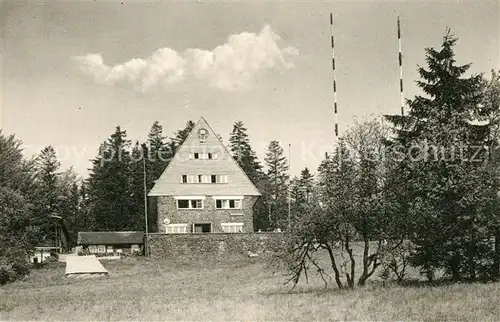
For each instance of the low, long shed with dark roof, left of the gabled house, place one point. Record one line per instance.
(111, 242)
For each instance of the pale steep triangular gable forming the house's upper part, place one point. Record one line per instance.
(170, 182)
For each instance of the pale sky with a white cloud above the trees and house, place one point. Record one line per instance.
(72, 71)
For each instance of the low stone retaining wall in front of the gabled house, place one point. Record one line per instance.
(193, 246)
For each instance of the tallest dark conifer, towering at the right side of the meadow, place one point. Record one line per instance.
(447, 223)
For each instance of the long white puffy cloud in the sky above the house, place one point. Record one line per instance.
(230, 66)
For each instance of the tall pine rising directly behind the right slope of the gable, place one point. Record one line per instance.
(239, 144)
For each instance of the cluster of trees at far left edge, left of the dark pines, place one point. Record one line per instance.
(32, 191)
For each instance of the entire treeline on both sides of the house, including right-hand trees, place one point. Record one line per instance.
(416, 190)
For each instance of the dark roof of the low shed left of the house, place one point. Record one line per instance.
(110, 237)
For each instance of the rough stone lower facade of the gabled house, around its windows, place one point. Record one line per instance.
(167, 208)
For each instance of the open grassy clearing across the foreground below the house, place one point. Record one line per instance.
(238, 289)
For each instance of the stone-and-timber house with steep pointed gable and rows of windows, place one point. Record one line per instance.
(203, 189)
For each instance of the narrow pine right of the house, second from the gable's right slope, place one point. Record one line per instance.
(276, 191)
